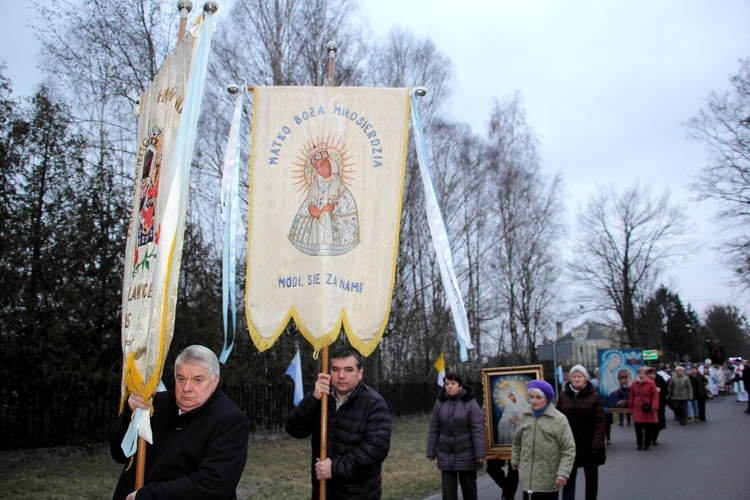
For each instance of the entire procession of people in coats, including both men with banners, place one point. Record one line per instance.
(200, 436)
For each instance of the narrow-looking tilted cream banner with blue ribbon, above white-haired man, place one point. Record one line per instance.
(168, 117)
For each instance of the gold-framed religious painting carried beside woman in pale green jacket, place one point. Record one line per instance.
(505, 398)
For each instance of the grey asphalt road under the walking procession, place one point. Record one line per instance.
(706, 460)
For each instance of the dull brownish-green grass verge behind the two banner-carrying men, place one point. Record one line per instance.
(278, 466)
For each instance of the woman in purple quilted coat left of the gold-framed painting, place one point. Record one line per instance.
(456, 438)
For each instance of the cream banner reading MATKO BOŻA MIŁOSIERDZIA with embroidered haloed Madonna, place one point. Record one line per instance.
(326, 182)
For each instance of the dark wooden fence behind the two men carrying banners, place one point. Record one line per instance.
(79, 414)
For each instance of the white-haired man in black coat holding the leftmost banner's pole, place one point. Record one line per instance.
(200, 436)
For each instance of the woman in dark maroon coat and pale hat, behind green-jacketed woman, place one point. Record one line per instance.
(583, 407)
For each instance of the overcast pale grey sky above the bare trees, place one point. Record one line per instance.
(607, 84)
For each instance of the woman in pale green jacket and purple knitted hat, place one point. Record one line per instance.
(544, 449)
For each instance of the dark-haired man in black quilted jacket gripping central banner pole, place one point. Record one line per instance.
(359, 429)
